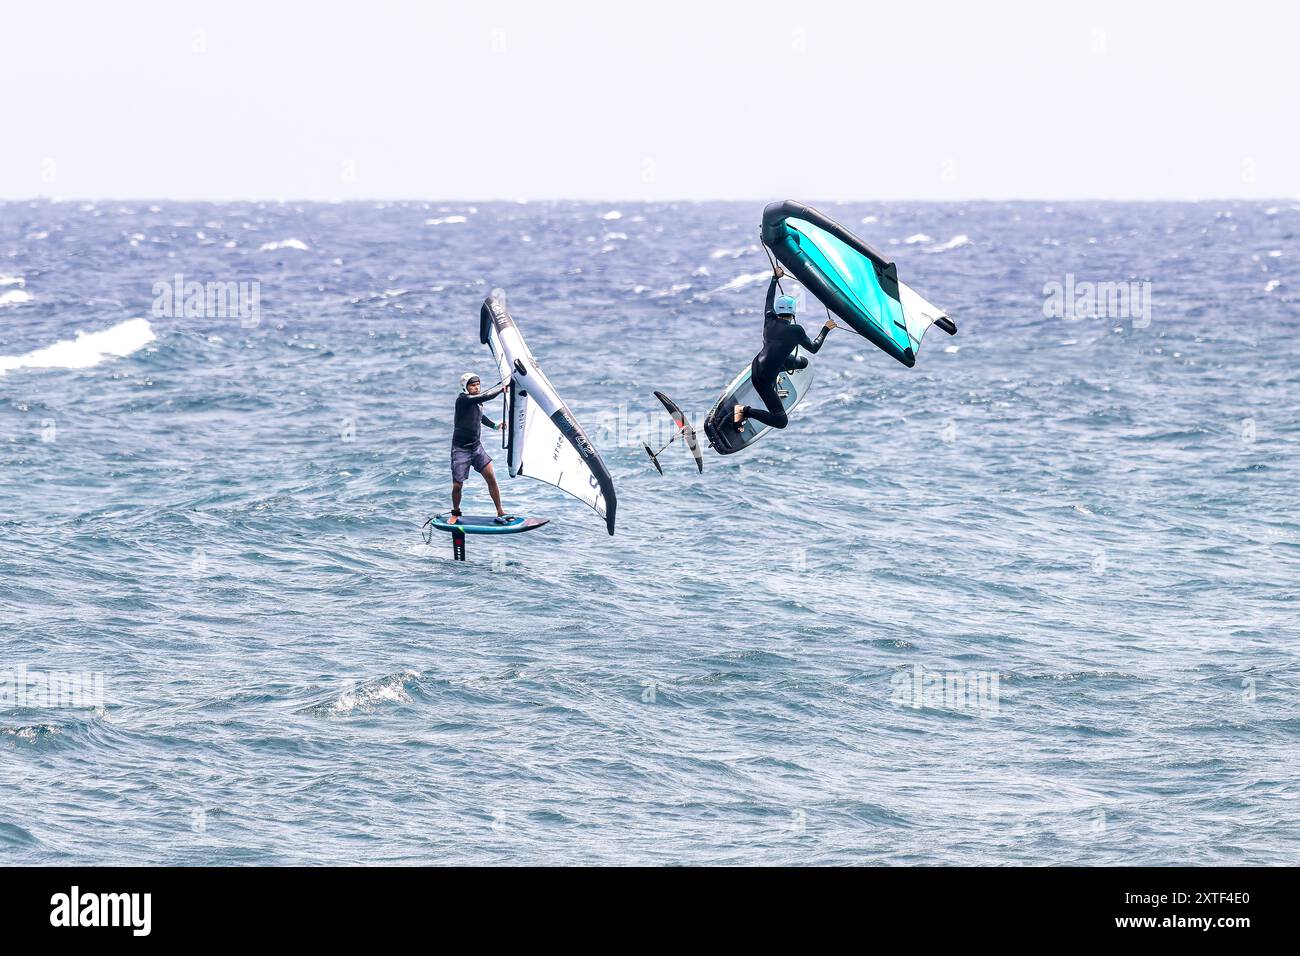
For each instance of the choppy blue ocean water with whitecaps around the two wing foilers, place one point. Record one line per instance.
(1033, 602)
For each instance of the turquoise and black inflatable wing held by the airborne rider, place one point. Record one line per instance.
(852, 279)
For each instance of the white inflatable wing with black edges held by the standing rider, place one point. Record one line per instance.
(545, 442)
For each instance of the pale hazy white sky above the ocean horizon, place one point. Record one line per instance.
(653, 101)
